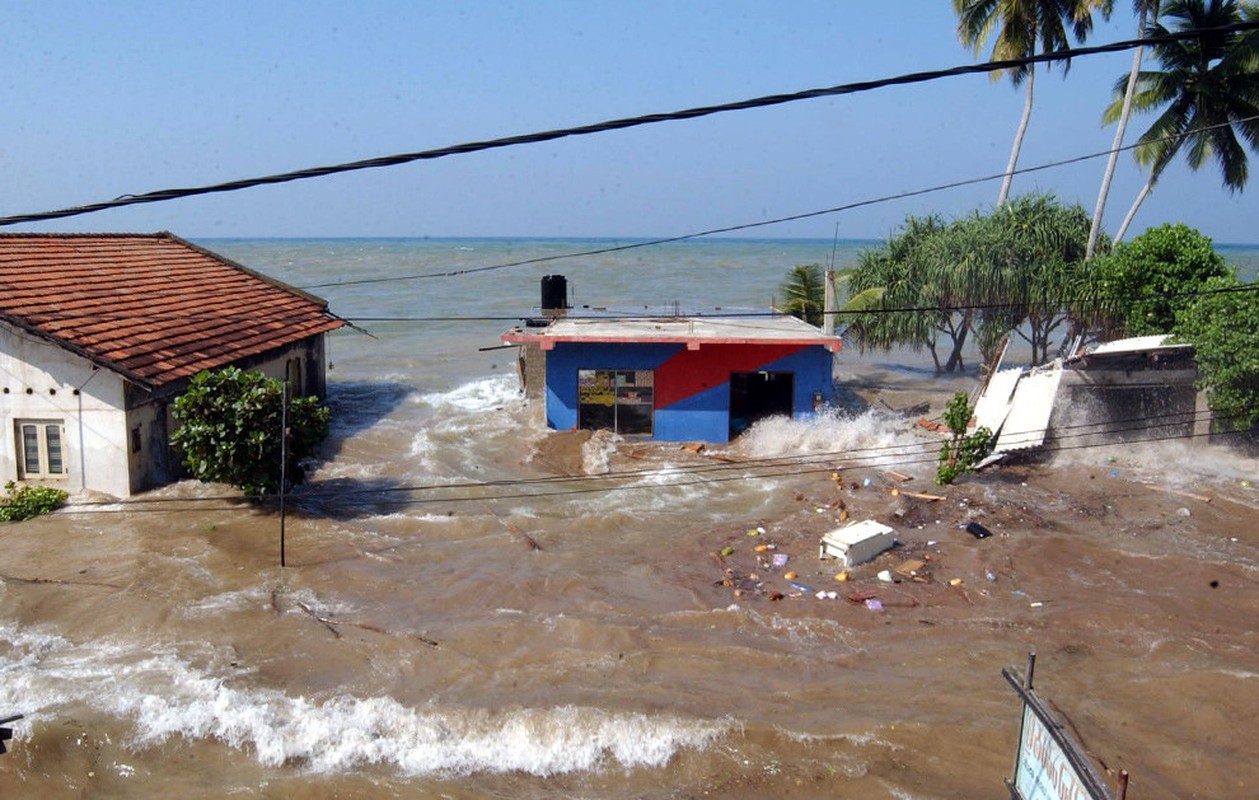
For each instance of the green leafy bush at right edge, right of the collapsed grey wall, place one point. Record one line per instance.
(1224, 328)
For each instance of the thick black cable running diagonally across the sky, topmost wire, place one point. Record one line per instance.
(621, 124)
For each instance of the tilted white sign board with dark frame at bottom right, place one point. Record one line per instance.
(1052, 764)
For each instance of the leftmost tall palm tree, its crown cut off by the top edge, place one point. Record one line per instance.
(1020, 27)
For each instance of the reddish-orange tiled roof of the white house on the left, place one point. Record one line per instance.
(152, 308)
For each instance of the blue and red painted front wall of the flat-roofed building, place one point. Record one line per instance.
(692, 387)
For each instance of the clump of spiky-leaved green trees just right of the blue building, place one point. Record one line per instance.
(1018, 270)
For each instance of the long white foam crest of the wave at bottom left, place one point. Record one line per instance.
(164, 696)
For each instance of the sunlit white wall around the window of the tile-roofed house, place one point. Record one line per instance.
(41, 381)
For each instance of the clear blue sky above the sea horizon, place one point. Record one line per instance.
(100, 100)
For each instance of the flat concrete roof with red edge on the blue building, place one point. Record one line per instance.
(693, 332)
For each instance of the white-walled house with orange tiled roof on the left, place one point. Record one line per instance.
(101, 333)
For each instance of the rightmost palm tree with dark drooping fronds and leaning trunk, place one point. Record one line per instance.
(1211, 89)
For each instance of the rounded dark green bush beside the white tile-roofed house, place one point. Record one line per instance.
(232, 431)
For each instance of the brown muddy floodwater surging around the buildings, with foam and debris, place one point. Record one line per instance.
(417, 644)
